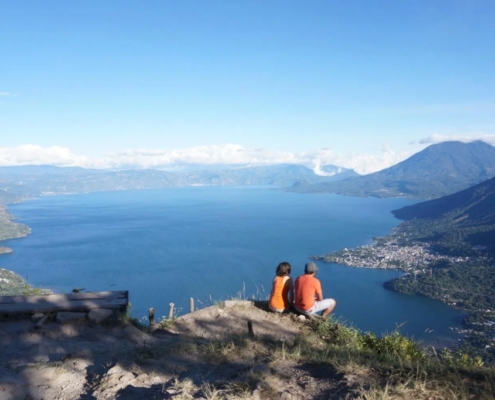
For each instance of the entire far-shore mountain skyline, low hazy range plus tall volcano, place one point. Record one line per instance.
(436, 171)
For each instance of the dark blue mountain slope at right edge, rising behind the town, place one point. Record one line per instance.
(466, 216)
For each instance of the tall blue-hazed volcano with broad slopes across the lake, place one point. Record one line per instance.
(438, 170)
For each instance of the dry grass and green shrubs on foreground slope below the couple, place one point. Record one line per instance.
(367, 366)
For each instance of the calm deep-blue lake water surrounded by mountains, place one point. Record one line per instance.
(211, 243)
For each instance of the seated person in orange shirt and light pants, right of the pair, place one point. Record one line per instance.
(308, 296)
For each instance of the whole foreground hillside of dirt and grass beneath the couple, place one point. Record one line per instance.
(209, 355)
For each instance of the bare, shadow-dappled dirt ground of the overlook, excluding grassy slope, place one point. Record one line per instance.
(85, 361)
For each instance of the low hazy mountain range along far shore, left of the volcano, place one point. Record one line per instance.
(17, 183)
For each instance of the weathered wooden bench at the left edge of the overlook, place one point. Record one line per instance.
(64, 302)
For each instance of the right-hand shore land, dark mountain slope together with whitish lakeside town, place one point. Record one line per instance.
(445, 247)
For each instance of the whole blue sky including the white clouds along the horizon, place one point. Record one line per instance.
(361, 84)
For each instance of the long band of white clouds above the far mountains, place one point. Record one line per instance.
(206, 155)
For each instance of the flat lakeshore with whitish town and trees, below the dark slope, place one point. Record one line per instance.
(423, 267)
